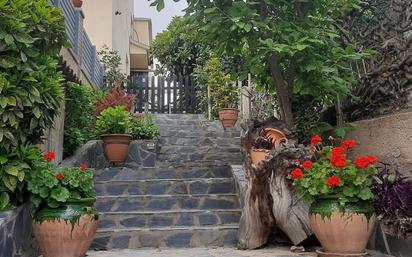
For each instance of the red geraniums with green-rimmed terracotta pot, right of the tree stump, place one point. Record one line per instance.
(340, 197)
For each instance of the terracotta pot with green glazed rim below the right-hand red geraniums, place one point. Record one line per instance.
(341, 234)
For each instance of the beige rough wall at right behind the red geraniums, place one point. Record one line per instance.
(388, 137)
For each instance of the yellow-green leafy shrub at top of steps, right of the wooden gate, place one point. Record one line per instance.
(223, 93)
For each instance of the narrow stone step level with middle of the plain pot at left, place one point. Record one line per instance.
(202, 149)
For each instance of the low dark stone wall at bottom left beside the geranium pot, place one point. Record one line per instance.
(16, 238)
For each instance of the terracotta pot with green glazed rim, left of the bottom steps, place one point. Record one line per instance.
(67, 231)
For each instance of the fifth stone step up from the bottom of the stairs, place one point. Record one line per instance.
(177, 172)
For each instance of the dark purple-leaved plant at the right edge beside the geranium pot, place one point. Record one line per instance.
(393, 206)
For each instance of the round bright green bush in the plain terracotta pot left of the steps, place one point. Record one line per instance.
(113, 120)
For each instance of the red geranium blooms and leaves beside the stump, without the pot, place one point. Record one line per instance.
(330, 173)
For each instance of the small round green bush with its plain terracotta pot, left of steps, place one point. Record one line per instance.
(112, 125)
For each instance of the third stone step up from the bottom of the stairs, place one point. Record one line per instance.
(126, 203)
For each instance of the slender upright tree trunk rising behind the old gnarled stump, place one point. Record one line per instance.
(281, 91)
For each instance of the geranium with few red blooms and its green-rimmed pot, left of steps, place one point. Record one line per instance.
(64, 219)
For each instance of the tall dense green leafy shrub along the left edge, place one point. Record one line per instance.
(31, 36)
